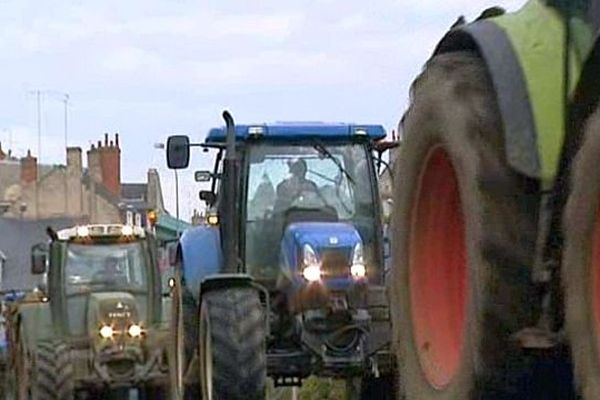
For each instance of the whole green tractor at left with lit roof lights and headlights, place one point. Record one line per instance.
(97, 329)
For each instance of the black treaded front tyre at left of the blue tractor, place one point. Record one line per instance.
(232, 345)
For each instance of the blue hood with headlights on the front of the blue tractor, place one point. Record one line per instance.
(333, 244)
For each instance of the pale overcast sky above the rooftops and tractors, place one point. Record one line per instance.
(148, 68)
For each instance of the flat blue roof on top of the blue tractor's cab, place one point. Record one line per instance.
(299, 131)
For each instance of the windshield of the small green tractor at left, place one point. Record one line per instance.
(105, 268)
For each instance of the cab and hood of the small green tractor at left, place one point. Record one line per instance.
(104, 276)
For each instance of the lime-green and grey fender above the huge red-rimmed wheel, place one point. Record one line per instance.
(524, 55)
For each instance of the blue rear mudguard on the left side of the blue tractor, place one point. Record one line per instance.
(201, 256)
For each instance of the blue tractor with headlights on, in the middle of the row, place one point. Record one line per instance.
(286, 277)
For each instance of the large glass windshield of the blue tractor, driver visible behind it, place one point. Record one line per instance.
(333, 180)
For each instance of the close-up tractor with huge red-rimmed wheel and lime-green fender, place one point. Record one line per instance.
(496, 225)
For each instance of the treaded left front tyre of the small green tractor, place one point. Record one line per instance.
(54, 376)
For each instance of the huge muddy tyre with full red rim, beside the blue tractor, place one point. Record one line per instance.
(464, 230)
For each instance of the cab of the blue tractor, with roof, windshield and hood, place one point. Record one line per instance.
(308, 198)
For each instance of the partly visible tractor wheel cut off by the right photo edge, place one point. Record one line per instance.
(581, 263)
